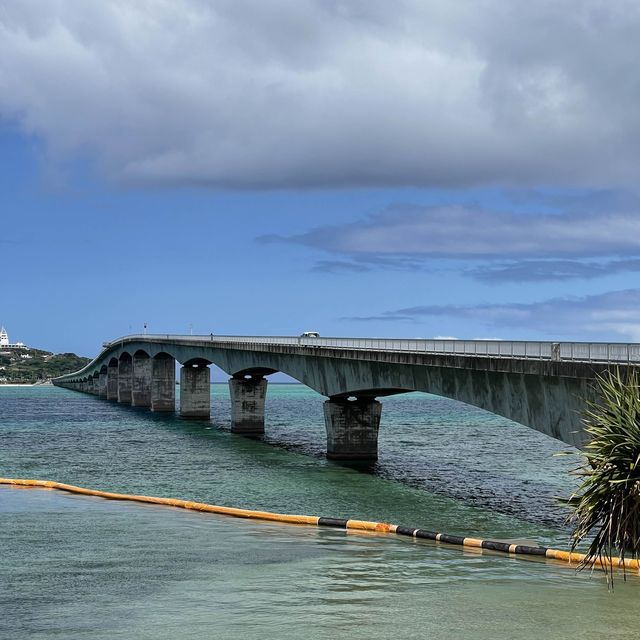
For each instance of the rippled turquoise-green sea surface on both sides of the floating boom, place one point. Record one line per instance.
(78, 567)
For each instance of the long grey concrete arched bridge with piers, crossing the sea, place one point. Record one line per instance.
(543, 385)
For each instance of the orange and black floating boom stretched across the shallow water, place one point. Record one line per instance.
(516, 550)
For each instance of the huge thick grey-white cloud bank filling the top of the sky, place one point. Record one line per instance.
(315, 93)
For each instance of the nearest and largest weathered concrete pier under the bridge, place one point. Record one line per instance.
(352, 428)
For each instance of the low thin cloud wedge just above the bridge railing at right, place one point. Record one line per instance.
(614, 313)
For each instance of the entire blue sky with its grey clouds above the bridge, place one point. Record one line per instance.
(357, 168)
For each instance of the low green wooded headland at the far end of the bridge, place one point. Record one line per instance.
(28, 366)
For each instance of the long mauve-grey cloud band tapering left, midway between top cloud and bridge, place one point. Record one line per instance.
(457, 232)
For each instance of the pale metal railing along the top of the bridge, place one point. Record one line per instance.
(578, 351)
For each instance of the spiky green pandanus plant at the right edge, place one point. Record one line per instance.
(606, 505)
